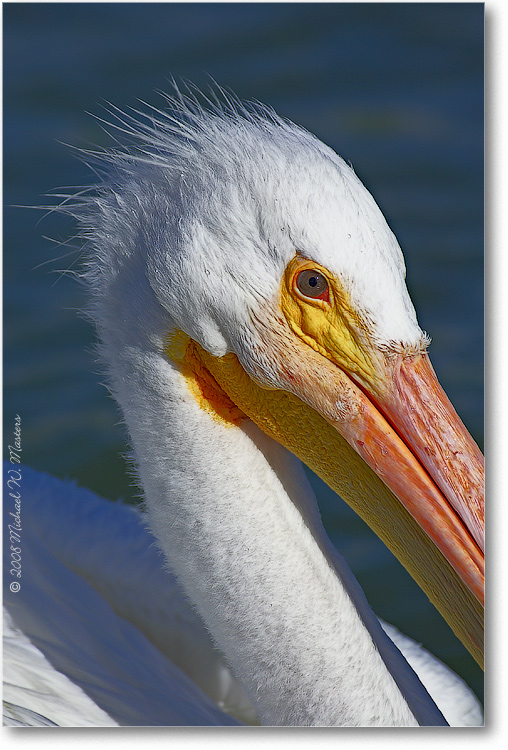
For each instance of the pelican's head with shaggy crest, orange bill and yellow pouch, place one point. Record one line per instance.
(235, 249)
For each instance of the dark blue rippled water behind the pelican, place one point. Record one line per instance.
(396, 89)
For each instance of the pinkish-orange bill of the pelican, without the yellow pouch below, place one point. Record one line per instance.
(415, 442)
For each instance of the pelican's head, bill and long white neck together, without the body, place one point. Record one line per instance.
(250, 299)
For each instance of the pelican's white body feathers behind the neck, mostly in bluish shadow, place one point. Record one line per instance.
(102, 635)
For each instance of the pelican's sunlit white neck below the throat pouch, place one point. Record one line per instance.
(238, 522)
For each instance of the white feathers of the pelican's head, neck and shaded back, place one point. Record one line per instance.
(191, 231)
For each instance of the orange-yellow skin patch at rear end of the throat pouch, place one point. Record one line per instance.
(202, 385)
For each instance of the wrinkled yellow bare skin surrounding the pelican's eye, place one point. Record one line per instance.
(333, 328)
